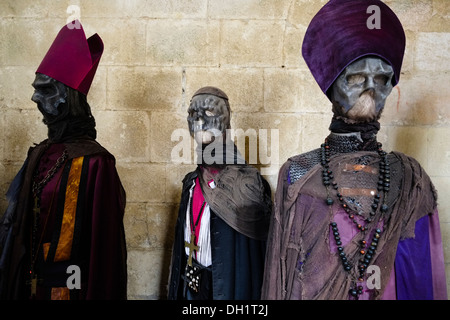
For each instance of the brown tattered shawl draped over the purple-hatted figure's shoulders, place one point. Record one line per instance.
(298, 255)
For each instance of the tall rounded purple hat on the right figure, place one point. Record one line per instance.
(339, 34)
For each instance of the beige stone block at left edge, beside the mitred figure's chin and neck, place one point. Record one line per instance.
(22, 129)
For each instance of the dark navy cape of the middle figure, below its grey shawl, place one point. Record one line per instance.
(237, 260)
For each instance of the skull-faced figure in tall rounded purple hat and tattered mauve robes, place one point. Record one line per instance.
(350, 220)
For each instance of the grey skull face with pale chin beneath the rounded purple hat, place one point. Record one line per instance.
(360, 91)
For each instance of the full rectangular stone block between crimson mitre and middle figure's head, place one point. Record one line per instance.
(143, 88)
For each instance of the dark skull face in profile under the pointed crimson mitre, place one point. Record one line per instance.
(48, 94)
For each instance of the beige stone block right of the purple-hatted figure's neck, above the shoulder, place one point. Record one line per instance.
(411, 141)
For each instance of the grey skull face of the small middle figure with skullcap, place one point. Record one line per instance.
(208, 118)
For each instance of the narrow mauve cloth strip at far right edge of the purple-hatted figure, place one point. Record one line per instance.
(437, 259)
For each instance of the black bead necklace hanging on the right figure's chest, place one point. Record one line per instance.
(367, 252)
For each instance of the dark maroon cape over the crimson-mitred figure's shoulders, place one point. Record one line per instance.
(101, 202)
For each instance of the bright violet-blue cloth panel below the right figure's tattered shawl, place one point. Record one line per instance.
(413, 267)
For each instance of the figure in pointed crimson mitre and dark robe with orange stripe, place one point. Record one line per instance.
(62, 236)
